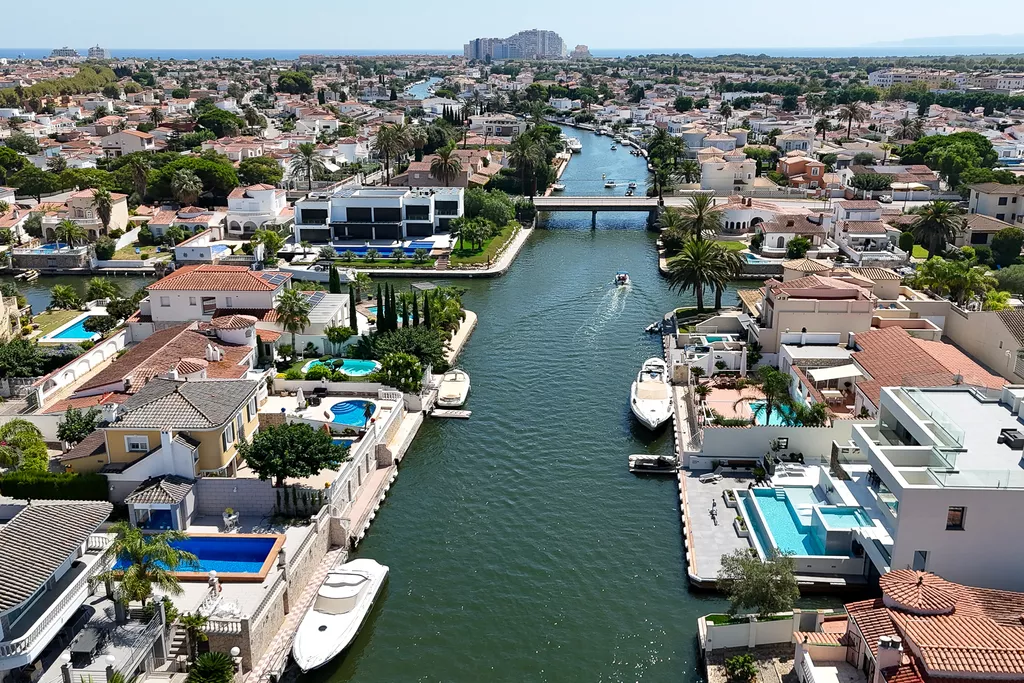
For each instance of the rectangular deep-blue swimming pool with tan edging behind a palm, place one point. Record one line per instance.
(238, 558)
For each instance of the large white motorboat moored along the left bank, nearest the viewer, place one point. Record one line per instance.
(343, 604)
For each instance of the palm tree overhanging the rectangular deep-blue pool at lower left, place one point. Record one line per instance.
(150, 560)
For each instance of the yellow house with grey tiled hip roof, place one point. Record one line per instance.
(177, 428)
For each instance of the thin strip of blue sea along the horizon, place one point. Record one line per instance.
(261, 54)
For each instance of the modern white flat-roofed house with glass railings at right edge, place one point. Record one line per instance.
(950, 481)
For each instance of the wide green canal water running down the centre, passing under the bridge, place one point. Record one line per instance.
(521, 547)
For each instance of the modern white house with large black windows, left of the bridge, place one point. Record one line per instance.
(376, 214)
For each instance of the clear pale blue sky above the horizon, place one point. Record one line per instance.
(414, 24)
